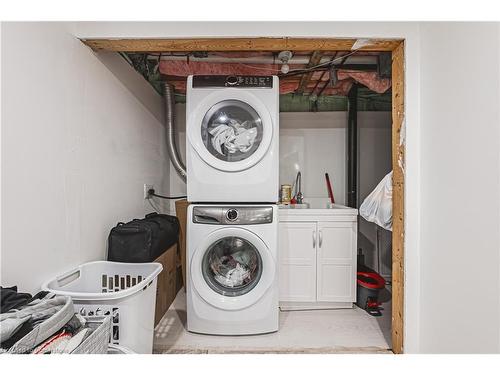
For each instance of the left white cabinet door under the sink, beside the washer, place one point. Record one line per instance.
(297, 259)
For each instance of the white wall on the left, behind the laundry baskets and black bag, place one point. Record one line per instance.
(77, 148)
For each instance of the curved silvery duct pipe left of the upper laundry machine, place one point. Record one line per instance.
(171, 131)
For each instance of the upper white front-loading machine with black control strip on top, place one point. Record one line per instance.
(232, 132)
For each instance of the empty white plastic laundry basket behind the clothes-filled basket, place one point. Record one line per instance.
(124, 291)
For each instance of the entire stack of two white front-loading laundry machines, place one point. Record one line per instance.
(232, 125)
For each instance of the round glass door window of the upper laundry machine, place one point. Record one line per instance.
(232, 130)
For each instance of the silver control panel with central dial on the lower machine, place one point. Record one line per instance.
(232, 215)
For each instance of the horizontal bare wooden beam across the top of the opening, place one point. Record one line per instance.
(237, 44)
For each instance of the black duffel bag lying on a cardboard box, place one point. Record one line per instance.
(142, 240)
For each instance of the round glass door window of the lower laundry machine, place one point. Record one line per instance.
(232, 266)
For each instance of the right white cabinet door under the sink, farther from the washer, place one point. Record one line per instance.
(336, 262)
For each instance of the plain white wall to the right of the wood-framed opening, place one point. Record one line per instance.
(460, 97)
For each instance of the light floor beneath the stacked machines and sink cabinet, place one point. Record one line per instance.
(317, 331)
